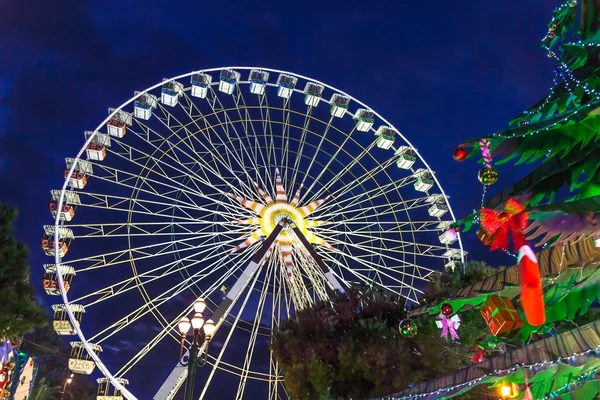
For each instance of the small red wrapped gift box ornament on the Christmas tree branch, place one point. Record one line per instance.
(501, 316)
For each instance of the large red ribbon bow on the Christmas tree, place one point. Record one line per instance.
(513, 219)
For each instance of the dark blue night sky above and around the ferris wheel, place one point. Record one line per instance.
(440, 71)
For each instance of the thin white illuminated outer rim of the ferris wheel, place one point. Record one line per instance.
(61, 200)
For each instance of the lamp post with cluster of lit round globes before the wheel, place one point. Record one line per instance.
(200, 331)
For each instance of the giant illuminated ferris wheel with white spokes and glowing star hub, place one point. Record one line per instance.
(260, 191)
